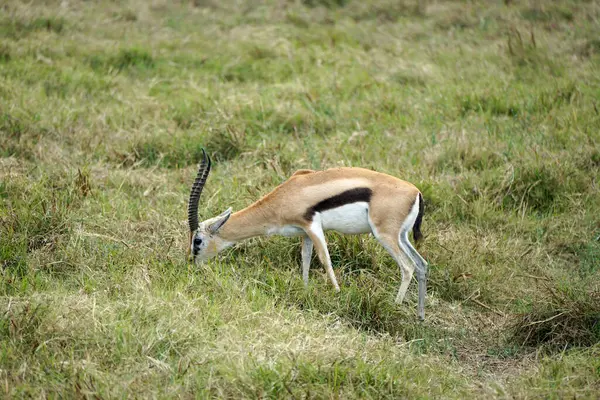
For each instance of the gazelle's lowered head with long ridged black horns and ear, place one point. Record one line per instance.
(205, 241)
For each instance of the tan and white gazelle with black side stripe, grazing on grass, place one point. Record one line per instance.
(346, 200)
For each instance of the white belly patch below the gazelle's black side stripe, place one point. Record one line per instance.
(350, 218)
